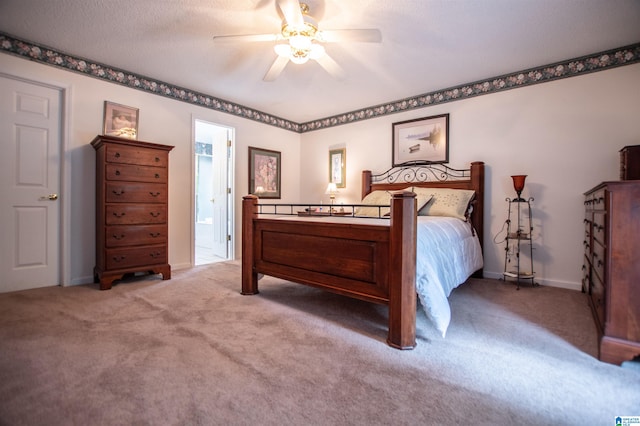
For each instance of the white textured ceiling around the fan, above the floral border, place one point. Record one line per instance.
(426, 45)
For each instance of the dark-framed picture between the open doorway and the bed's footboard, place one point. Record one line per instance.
(264, 172)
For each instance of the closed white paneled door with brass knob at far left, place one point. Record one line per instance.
(30, 138)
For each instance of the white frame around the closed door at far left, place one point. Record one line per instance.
(64, 225)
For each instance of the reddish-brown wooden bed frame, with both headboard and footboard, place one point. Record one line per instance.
(372, 262)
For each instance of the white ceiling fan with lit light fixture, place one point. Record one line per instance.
(300, 39)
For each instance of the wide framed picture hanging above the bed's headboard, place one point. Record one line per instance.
(421, 141)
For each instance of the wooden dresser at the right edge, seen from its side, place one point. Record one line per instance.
(612, 267)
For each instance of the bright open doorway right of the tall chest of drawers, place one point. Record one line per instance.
(212, 198)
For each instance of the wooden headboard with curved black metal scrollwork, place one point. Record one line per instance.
(433, 176)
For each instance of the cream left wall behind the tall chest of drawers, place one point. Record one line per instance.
(162, 121)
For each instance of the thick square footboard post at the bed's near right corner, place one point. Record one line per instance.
(402, 271)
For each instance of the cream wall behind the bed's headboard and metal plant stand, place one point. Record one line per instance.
(565, 135)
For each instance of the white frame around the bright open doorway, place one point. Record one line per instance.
(231, 183)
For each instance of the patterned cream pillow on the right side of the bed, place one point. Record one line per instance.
(445, 201)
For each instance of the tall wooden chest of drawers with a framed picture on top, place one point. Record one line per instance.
(131, 209)
